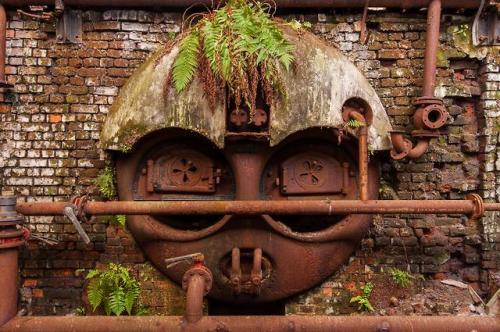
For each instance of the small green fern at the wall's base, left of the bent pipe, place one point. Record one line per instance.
(115, 290)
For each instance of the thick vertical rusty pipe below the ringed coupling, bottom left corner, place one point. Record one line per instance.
(8, 284)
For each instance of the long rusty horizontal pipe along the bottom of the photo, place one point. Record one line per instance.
(256, 323)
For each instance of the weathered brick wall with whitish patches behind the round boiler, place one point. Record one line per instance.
(51, 124)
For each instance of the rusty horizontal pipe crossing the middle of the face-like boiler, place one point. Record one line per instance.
(318, 207)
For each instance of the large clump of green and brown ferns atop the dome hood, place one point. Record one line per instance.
(234, 47)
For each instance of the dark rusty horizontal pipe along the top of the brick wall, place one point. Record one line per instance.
(279, 3)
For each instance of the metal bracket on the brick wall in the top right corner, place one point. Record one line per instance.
(486, 28)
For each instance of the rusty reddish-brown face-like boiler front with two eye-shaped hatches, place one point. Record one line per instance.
(253, 259)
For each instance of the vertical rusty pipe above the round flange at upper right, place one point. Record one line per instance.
(431, 47)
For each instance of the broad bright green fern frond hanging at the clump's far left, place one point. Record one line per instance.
(186, 61)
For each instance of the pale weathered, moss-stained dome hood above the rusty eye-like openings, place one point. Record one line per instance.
(321, 82)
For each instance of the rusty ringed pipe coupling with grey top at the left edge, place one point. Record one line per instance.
(11, 234)
